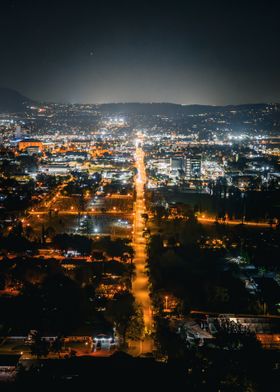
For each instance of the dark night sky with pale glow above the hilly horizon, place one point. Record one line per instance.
(215, 52)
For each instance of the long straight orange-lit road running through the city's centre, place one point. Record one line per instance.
(140, 284)
